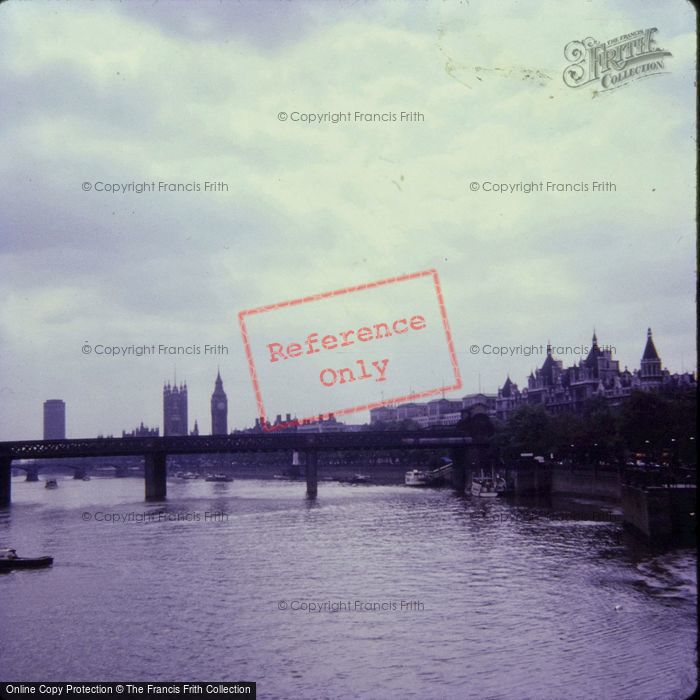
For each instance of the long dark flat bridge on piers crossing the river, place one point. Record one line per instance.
(155, 451)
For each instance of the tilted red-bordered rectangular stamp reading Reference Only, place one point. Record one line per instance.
(350, 350)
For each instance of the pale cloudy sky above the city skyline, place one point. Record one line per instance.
(130, 92)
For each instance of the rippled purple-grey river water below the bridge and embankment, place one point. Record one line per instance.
(417, 593)
